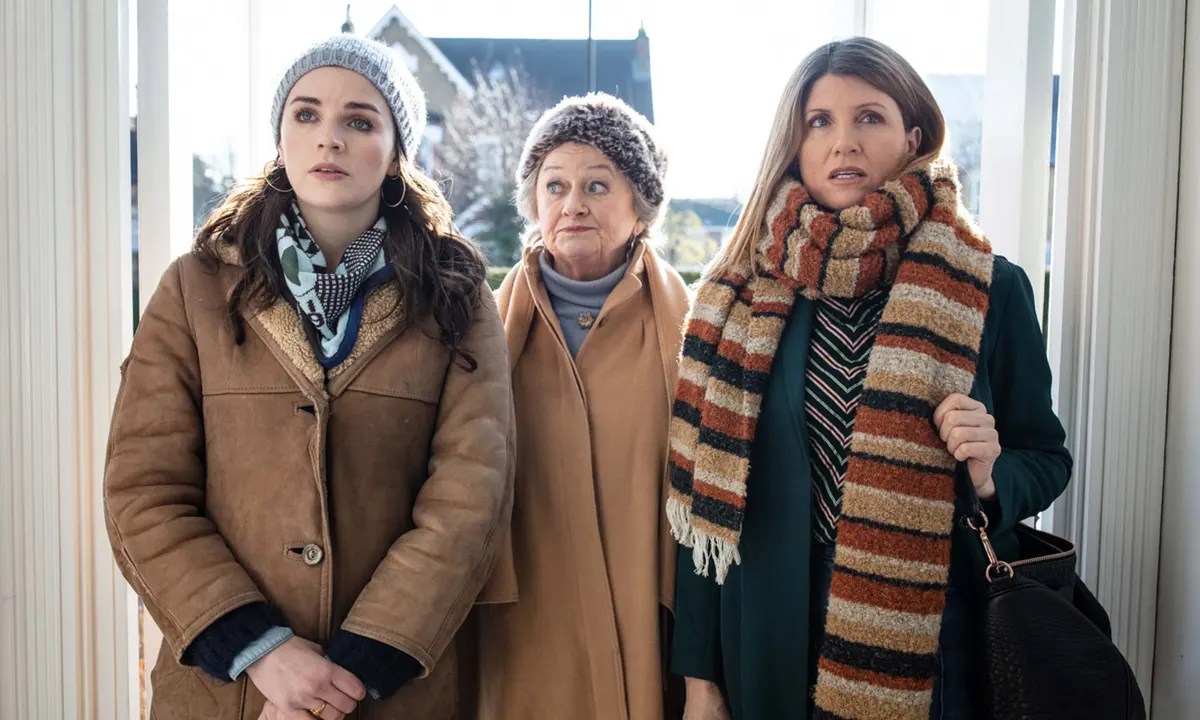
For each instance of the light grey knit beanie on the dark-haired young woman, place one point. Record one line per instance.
(379, 64)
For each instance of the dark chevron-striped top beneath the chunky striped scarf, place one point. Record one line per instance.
(843, 335)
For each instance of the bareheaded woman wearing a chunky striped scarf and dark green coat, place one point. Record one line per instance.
(854, 352)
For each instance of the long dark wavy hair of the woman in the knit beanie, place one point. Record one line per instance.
(440, 272)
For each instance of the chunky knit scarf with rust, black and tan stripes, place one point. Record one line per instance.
(893, 551)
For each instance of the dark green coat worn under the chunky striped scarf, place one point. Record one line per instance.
(752, 634)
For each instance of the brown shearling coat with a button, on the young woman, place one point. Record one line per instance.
(373, 499)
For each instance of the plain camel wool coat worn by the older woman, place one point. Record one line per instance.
(592, 559)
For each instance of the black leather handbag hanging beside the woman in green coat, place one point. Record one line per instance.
(1045, 644)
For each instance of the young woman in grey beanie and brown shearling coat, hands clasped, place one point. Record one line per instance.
(311, 454)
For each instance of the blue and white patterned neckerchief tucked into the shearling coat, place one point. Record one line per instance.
(323, 297)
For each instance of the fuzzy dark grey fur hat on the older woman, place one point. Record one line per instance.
(613, 128)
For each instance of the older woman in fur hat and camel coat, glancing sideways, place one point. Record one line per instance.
(593, 320)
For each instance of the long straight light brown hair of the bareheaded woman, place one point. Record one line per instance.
(863, 58)
